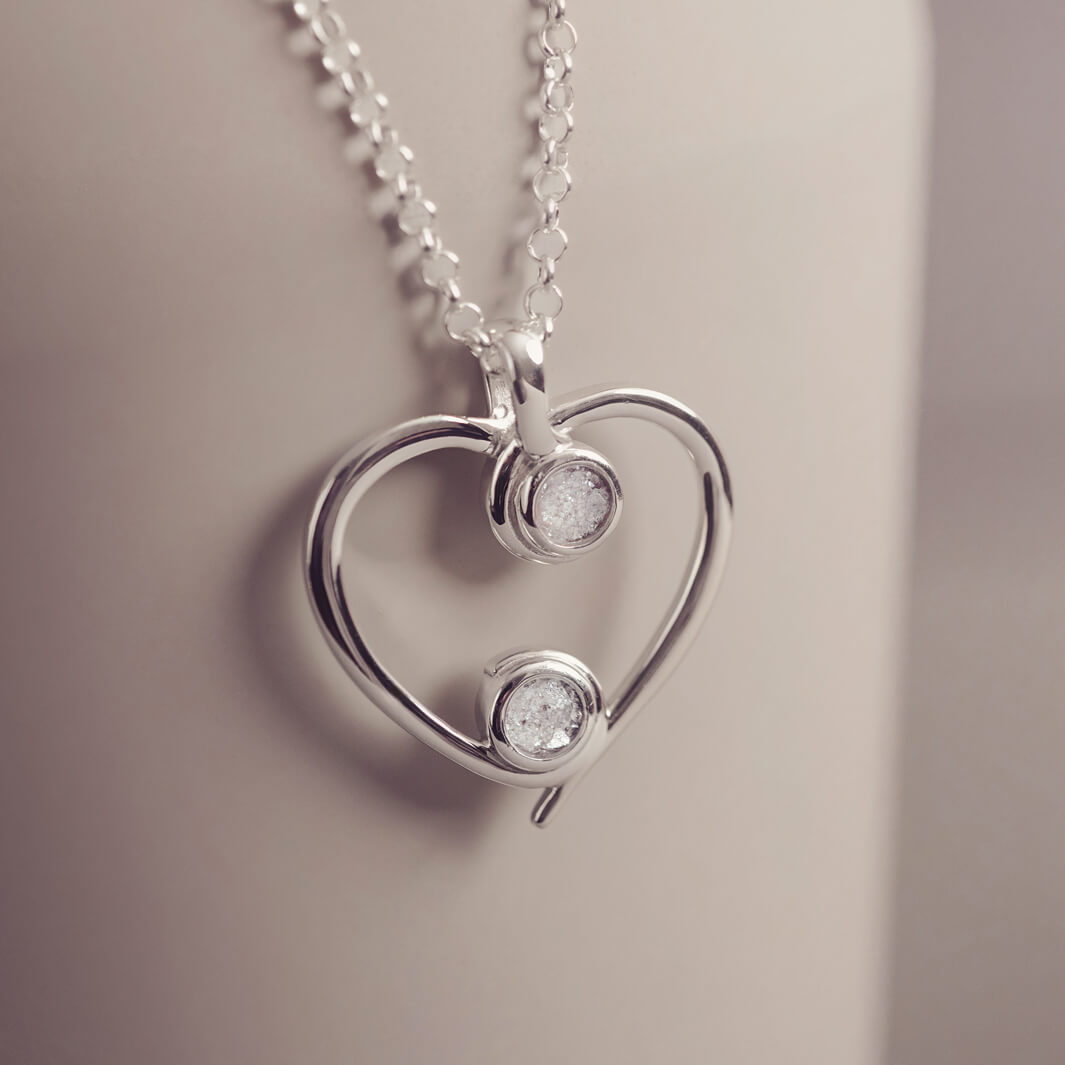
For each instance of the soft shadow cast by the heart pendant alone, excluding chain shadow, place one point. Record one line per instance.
(329, 710)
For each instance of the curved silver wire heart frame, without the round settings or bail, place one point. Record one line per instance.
(368, 463)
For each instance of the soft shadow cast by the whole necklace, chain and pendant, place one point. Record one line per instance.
(313, 692)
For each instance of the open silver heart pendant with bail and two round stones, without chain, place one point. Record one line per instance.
(544, 715)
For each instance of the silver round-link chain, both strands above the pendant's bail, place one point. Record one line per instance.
(416, 217)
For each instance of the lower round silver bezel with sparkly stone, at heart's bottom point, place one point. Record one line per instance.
(540, 709)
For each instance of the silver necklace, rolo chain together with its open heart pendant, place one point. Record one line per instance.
(545, 718)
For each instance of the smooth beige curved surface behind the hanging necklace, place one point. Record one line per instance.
(215, 854)
